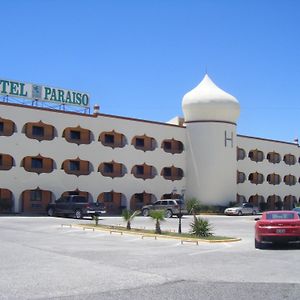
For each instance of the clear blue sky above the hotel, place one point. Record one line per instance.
(138, 58)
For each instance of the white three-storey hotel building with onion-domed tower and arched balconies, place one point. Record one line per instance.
(126, 162)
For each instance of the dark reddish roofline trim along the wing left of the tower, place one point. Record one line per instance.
(89, 115)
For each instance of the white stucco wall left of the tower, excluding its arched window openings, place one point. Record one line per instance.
(18, 146)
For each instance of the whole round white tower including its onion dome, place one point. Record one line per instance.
(210, 116)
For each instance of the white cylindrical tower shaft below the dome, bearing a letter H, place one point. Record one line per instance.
(211, 166)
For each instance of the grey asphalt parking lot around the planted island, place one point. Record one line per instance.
(40, 259)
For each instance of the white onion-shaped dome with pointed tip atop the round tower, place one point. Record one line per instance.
(207, 102)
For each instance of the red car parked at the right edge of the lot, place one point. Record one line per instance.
(277, 227)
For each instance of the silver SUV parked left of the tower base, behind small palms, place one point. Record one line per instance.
(170, 206)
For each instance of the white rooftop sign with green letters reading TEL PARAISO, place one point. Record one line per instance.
(43, 93)
